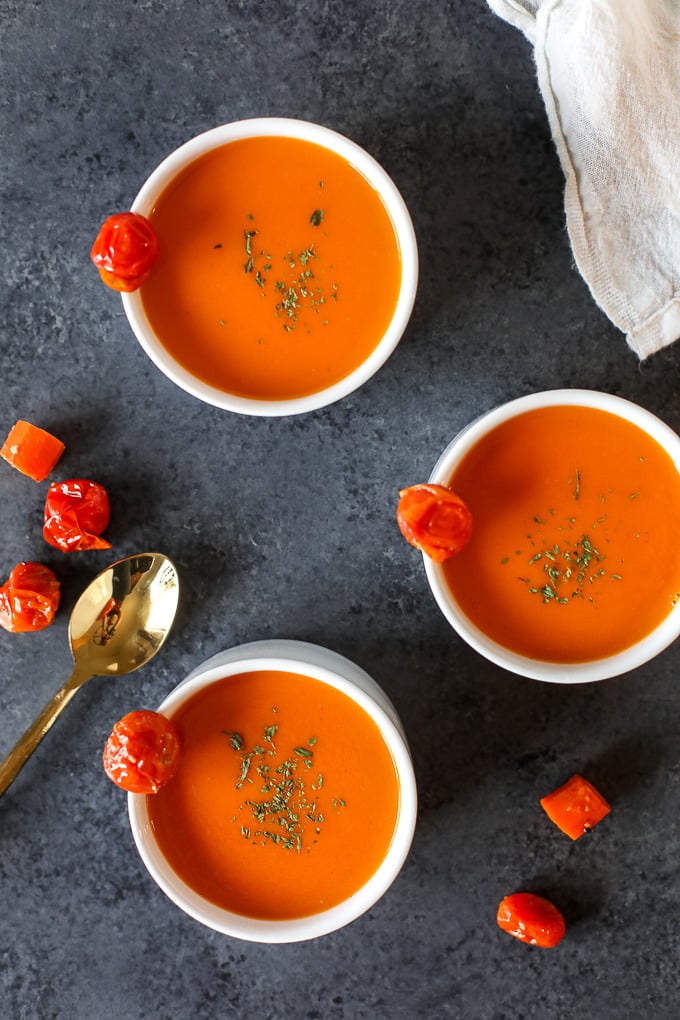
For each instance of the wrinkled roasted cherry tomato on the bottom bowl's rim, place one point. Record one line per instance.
(143, 752)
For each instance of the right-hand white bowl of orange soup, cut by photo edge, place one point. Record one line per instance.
(572, 574)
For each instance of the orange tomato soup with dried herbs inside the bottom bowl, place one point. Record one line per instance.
(286, 800)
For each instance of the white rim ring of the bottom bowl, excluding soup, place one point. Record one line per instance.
(297, 930)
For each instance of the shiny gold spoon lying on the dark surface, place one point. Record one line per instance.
(118, 625)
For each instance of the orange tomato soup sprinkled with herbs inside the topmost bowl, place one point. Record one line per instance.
(280, 269)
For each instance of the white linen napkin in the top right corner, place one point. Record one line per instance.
(609, 72)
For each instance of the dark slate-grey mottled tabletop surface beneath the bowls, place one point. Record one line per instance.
(286, 527)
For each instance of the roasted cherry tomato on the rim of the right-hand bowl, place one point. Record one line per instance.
(434, 520)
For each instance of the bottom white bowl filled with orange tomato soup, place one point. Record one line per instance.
(294, 806)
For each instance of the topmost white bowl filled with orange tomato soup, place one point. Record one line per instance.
(288, 267)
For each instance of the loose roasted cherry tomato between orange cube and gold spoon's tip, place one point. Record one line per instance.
(76, 515)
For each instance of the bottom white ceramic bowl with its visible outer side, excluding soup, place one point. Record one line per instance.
(309, 660)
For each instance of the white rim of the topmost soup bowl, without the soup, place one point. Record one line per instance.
(396, 208)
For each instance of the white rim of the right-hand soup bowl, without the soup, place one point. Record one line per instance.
(555, 673)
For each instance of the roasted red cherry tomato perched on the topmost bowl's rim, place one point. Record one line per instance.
(125, 251)
